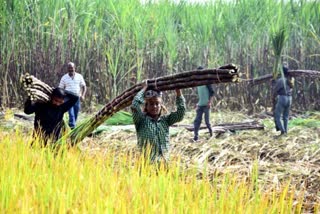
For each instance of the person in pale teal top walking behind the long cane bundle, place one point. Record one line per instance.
(205, 95)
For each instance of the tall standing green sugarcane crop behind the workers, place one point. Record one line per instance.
(116, 43)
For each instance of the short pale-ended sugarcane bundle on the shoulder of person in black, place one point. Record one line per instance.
(35, 88)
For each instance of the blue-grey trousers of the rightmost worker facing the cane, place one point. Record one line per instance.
(282, 109)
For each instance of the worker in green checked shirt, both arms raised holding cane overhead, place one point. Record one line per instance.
(152, 123)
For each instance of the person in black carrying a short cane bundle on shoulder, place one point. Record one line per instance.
(49, 116)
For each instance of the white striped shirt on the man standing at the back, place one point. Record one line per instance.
(72, 84)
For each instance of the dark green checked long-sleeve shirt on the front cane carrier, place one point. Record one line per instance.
(154, 134)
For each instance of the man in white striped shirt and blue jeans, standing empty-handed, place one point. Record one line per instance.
(74, 82)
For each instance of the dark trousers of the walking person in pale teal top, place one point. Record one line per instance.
(197, 122)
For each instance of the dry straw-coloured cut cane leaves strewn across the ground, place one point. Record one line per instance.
(295, 157)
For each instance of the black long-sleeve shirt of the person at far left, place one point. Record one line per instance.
(48, 118)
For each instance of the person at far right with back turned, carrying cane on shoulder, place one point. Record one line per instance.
(283, 92)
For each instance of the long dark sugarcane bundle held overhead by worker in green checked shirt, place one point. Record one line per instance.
(225, 74)
